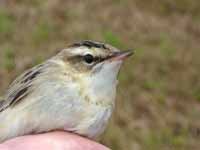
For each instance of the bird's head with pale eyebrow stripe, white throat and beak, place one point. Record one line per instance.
(94, 64)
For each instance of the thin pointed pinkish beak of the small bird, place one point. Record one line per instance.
(121, 55)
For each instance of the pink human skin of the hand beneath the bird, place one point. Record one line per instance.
(51, 141)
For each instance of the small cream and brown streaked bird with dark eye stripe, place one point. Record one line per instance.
(73, 91)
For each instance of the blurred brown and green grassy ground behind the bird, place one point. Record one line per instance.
(158, 103)
